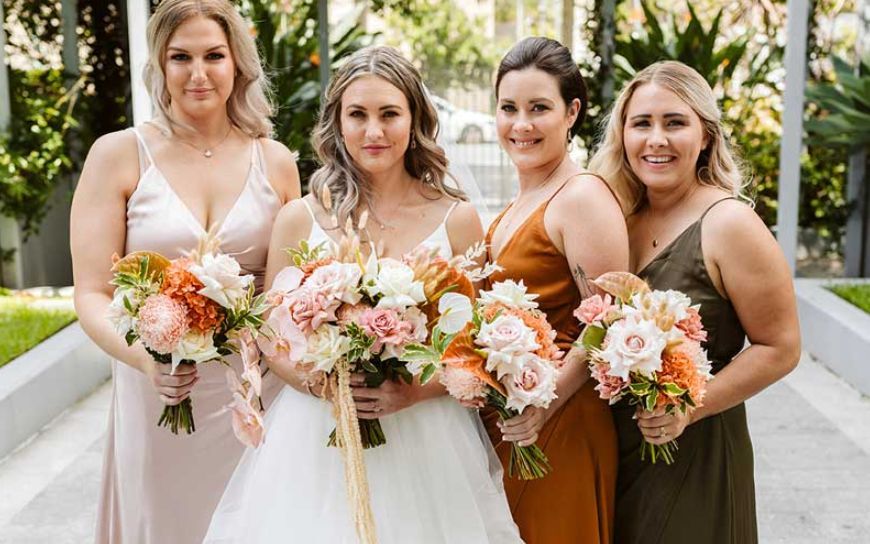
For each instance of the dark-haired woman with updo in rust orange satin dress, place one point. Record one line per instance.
(563, 227)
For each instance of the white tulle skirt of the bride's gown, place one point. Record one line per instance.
(437, 480)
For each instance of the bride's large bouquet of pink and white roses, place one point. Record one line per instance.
(328, 309)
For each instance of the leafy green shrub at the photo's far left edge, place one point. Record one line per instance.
(33, 155)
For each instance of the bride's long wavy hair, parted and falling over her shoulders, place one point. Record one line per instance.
(347, 183)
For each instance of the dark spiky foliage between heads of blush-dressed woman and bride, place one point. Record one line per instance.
(287, 35)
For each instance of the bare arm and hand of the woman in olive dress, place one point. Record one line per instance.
(748, 266)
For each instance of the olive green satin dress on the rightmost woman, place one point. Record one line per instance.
(708, 494)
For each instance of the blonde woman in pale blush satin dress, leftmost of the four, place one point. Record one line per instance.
(160, 189)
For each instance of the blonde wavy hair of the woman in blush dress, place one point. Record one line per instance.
(249, 106)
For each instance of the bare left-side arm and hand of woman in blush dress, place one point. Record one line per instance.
(109, 176)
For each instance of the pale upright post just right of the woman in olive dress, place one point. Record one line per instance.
(792, 129)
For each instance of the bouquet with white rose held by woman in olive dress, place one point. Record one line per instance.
(645, 345)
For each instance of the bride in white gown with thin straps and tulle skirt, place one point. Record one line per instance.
(437, 479)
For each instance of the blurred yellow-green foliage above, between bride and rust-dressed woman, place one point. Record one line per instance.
(445, 44)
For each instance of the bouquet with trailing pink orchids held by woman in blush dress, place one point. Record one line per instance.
(193, 309)
